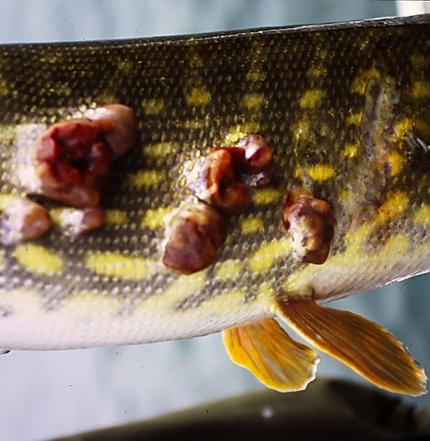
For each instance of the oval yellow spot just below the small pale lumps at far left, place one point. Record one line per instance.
(38, 259)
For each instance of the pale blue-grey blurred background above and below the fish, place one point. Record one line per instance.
(47, 394)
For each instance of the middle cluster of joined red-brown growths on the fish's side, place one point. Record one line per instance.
(219, 184)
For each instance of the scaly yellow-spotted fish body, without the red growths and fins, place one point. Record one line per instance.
(345, 109)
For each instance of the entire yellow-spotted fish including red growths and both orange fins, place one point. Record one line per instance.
(339, 112)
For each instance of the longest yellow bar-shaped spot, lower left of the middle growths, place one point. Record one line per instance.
(119, 265)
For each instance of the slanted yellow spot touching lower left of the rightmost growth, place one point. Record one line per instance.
(268, 253)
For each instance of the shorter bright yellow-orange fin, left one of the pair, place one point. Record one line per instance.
(271, 355)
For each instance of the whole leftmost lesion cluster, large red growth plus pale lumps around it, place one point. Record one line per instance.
(68, 163)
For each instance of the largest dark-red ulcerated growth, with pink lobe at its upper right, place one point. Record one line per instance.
(74, 158)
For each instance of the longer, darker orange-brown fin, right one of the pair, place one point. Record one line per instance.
(364, 346)
